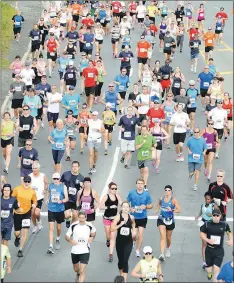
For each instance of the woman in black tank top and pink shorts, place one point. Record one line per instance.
(110, 203)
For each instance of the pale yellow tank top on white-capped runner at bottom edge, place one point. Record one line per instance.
(150, 269)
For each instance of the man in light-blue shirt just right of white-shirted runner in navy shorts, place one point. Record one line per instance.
(71, 101)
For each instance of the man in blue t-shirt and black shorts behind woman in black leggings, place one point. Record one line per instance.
(140, 201)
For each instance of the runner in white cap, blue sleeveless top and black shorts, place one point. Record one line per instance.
(56, 197)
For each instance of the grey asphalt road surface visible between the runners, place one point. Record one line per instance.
(185, 262)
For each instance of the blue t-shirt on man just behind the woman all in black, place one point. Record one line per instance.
(137, 200)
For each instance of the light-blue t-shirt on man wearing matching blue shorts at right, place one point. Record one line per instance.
(196, 146)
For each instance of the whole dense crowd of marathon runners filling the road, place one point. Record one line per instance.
(153, 113)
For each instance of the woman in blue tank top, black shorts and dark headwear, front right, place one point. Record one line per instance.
(167, 206)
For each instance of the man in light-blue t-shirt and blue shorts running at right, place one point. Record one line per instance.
(196, 150)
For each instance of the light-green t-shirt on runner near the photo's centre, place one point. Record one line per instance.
(145, 152)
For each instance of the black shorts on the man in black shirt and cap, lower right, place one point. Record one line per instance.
(214, 256)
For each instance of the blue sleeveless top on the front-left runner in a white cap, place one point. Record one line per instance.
(56, 192)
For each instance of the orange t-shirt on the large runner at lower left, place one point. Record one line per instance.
(25, 198)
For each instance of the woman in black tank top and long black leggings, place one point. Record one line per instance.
(124, 224)
